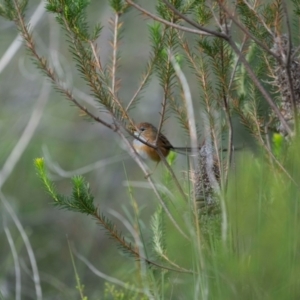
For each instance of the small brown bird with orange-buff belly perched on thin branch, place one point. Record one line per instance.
(148, 133)
